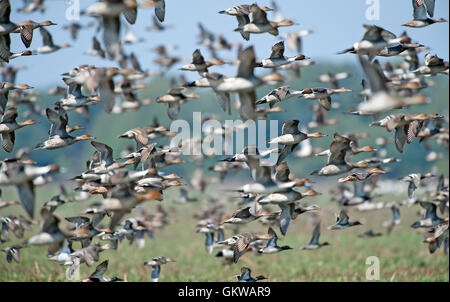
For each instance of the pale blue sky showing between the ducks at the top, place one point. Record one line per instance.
(336, 24)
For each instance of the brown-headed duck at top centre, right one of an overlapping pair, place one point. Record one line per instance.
(259, 23)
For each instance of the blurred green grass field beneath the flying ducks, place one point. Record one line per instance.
(402, 255)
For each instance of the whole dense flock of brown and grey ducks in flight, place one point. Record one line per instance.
(136, 176)
